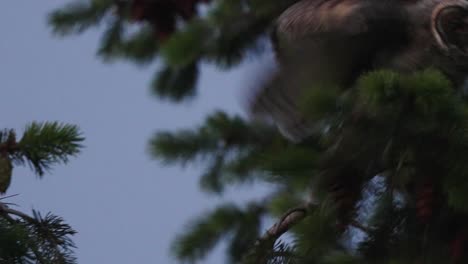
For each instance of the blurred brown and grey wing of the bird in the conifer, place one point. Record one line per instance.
(322, 41)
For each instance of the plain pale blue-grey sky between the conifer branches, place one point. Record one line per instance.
(125, 206)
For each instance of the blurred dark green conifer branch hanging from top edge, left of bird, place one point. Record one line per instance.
(226, 34)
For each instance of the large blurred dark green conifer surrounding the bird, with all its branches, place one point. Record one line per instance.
(381, 179)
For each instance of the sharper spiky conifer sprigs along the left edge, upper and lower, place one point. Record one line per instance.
(35, 238)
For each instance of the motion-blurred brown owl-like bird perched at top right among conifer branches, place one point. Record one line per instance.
(335, 41)
